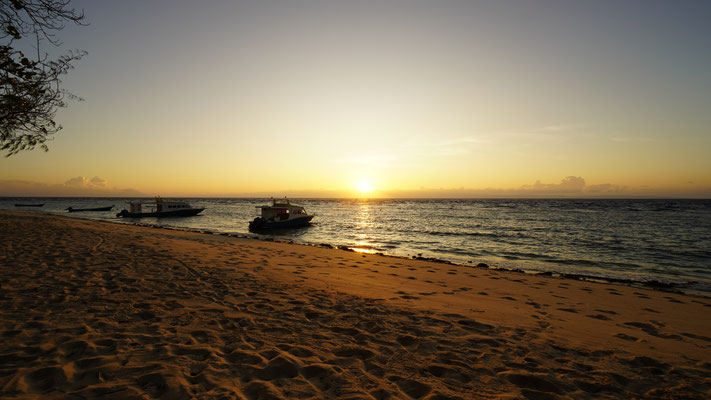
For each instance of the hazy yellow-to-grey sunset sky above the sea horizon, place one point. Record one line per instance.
(382, 99)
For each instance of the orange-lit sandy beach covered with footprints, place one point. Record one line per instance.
(109, 311)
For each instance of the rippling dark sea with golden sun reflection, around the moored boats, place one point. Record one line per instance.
(657, 241)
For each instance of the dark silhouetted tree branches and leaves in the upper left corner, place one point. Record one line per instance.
(30, 86)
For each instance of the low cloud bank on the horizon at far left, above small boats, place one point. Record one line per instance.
(75, 187)
